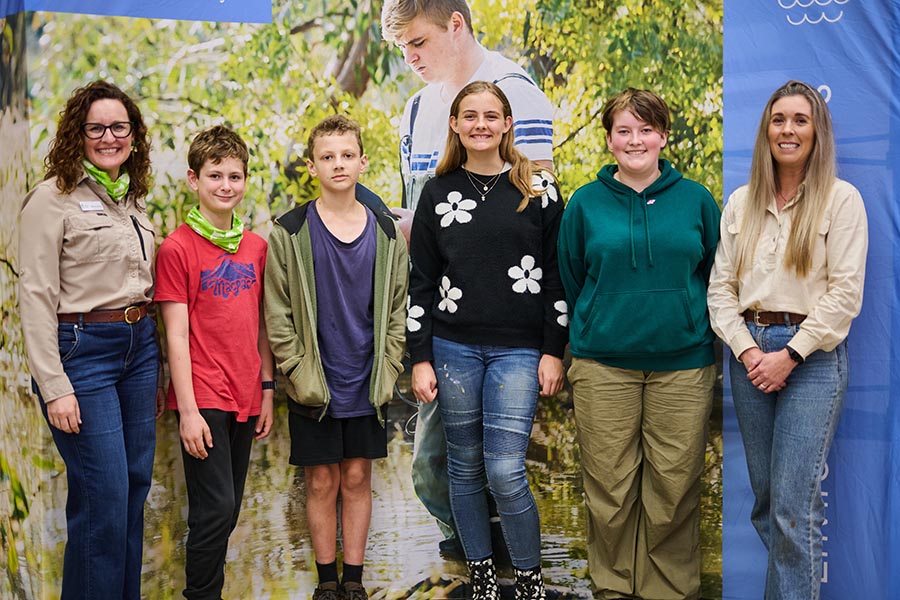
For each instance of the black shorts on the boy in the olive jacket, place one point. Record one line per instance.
(331, 440)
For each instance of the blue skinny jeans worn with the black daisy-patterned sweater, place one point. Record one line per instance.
(487, 397)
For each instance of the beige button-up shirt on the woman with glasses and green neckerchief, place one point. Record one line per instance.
(78, 252)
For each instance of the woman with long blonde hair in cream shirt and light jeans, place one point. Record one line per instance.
(786, 285)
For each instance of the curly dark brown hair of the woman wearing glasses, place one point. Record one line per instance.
(67, 149)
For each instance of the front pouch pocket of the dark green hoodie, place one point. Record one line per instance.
(640, 323)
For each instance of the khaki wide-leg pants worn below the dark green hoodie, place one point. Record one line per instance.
(643, 443)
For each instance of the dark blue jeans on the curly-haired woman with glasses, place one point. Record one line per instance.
(113, 368)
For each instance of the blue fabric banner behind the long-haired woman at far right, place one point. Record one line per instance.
(848, 49)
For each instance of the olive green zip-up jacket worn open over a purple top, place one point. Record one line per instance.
(291, 317)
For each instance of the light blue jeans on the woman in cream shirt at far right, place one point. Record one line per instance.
(786, 437)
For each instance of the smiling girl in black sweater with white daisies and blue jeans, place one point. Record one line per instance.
(487, 326)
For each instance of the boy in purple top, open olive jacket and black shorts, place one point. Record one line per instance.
(336, 284)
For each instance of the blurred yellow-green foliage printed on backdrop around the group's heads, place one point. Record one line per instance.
(272, 83)
